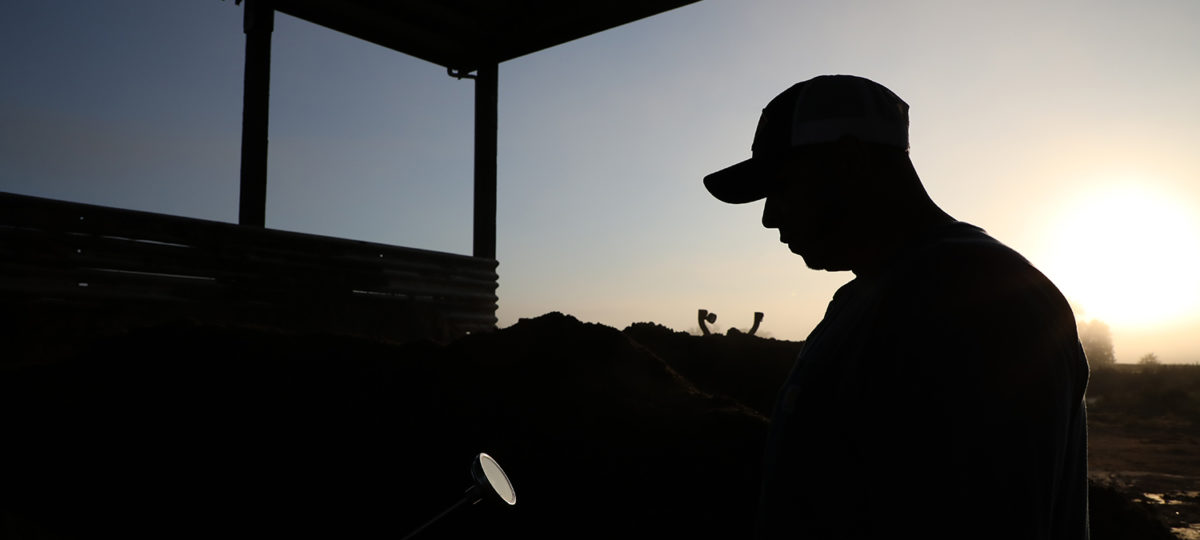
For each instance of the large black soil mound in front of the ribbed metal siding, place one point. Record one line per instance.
(201, 431)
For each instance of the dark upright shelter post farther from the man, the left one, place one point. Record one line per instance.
(259, 23)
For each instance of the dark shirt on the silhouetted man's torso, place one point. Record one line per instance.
(941, 397)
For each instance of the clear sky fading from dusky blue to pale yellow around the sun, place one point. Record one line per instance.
(1069, 130)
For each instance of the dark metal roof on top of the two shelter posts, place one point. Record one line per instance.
(467, 34)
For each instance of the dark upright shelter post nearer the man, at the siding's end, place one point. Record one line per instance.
(485, 161)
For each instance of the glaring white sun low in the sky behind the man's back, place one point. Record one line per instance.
(1129, 256)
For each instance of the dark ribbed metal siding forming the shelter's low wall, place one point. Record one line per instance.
(80, 253)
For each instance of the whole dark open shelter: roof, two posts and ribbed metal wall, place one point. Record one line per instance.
(93, 259)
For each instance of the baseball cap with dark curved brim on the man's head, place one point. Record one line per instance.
(821, 110)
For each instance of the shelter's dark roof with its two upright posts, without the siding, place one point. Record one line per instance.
(470, 38)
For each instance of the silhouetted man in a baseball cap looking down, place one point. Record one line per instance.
(943, 395)
